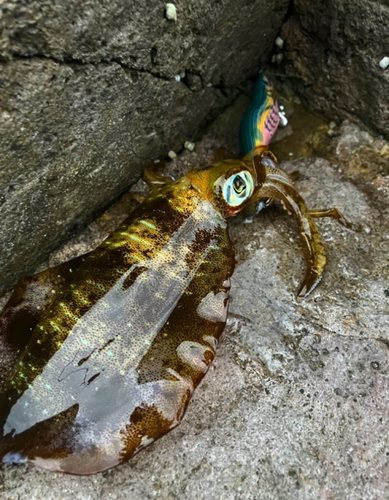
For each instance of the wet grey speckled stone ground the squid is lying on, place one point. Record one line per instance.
(296, 404)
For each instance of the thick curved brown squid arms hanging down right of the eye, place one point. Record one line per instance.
(274, 183)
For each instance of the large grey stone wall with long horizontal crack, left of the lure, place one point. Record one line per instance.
(88, 95)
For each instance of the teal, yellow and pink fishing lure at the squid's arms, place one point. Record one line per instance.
(261, 119)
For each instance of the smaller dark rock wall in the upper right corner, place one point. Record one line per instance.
(334, 49)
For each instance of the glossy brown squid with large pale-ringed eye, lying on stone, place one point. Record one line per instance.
(100, 355)
